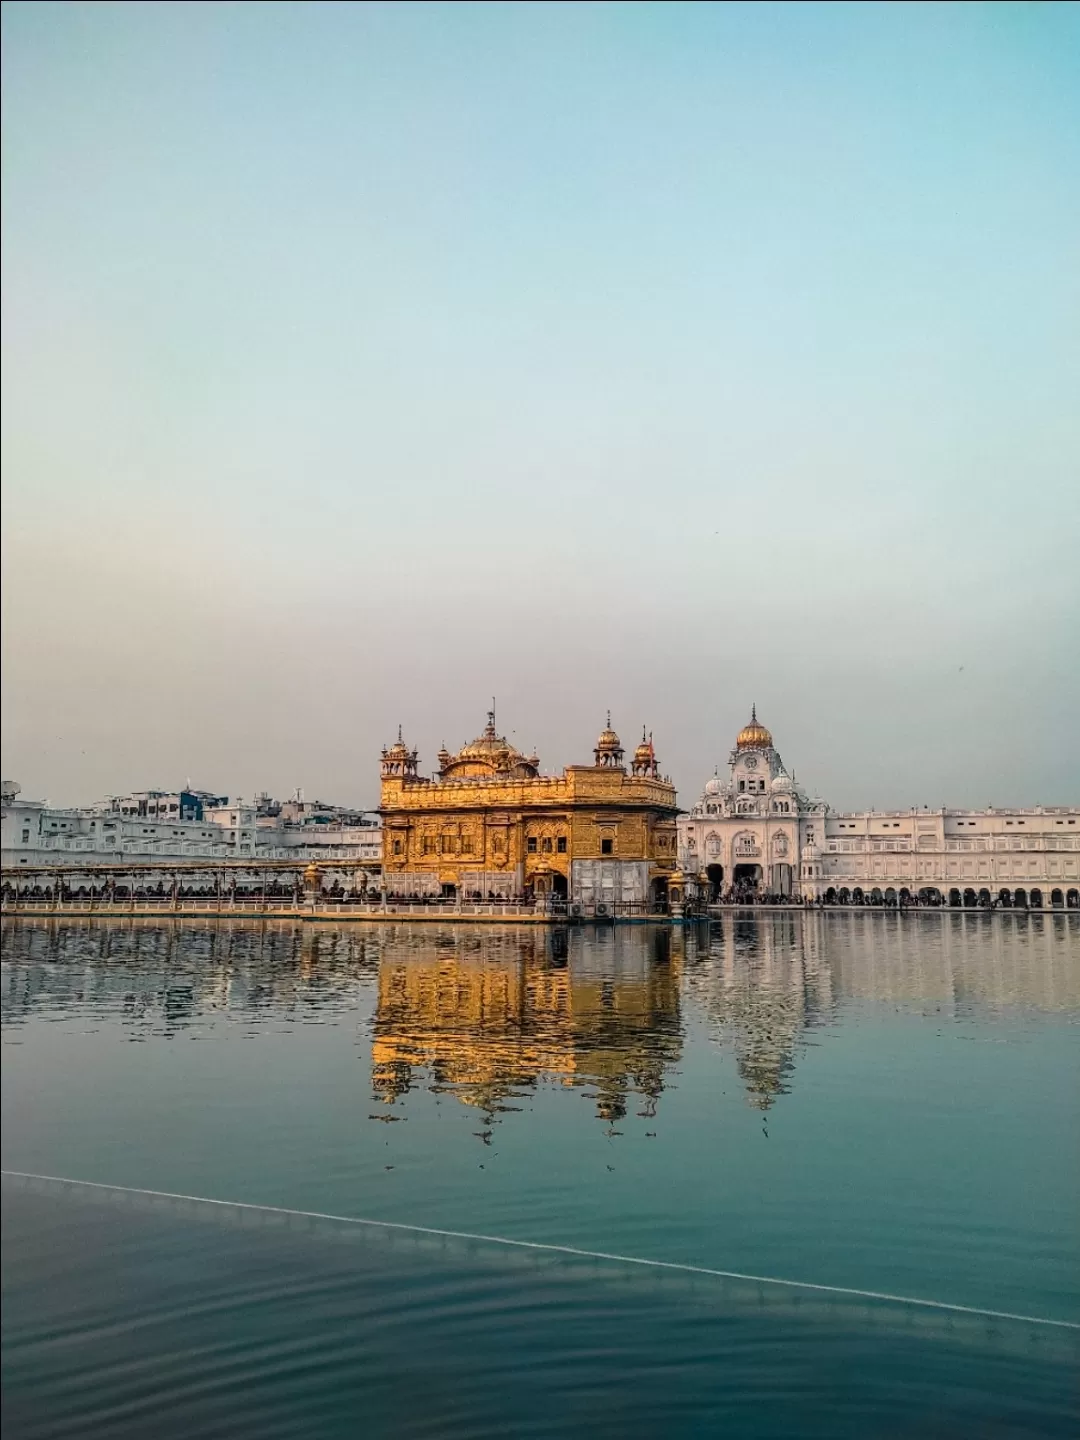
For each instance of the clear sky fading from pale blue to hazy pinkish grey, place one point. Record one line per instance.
(362, 364)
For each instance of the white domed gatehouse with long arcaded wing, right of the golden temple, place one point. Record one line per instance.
(758, 833)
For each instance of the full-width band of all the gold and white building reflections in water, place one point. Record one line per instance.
(492, 1014)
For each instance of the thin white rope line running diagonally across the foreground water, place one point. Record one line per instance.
(564, 1251)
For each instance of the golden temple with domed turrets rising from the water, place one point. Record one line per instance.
(490, 824)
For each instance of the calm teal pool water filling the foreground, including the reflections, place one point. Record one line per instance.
(856, 1101)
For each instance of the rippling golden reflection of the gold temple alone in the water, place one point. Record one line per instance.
(490, 1017)
